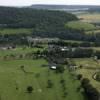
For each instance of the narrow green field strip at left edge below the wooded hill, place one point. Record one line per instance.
(15, 30)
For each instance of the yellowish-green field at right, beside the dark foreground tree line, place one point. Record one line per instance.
(89, 68)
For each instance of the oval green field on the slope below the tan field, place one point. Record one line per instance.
(78, 25)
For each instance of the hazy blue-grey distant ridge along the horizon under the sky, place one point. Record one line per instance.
(64, 7)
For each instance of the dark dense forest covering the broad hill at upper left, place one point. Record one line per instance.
(27, 17)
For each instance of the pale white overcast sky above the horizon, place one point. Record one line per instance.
(63, 2)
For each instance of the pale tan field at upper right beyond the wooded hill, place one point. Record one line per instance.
(89, 17)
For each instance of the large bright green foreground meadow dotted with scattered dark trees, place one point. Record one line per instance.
(14, 82)
